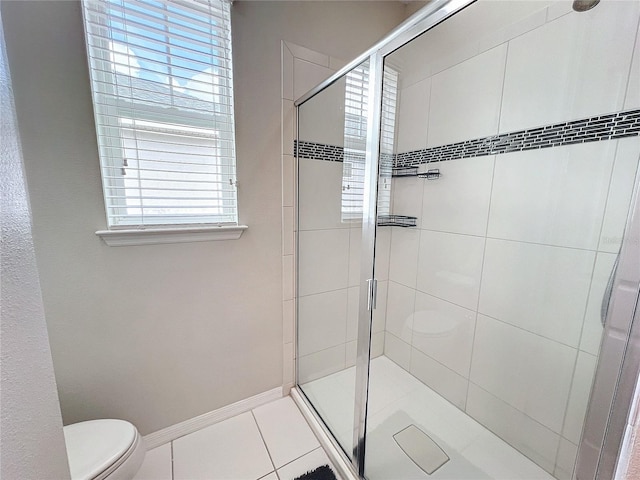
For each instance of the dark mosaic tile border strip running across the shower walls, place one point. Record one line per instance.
(593, 129)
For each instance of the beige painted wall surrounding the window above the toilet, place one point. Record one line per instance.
(158, 334)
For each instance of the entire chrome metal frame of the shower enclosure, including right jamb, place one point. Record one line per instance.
(610, 400)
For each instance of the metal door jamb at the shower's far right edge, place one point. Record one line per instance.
(612, 396)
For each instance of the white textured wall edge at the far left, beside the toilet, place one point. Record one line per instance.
(31, 439)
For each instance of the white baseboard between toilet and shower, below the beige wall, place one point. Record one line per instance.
(194, 424)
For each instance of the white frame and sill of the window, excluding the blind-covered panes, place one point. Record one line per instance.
(110, 138)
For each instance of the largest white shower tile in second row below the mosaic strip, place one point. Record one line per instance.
(538, 288)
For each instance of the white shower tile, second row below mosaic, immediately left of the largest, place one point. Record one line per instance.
(449, 267)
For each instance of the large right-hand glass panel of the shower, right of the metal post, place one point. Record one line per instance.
(516, 147)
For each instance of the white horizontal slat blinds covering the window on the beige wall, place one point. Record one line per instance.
(161, 79)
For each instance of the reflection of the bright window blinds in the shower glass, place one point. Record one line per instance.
(355, 137)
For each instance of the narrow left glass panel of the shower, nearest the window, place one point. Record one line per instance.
(331, 158)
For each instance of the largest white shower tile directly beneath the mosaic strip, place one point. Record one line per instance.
(536, 195)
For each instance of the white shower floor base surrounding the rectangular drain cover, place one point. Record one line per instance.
(398, 400)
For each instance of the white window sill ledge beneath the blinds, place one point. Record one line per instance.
(157, 235)
